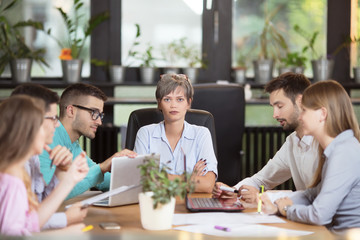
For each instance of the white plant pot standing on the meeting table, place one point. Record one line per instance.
(155, 219)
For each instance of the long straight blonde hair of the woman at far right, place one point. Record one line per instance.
(340, 113)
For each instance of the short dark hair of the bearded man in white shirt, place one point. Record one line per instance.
(293, 84)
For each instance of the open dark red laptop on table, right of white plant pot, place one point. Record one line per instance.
(211, 204)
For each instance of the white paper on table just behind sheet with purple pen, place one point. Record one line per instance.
(220, 218)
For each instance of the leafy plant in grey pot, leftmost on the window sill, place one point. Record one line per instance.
(13, 48)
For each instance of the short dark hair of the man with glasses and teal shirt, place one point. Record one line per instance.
(75, 91)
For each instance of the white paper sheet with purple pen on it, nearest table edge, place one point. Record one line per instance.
(243, 230)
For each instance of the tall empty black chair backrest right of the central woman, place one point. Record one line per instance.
(227, 104)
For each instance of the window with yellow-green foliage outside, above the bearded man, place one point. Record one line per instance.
(249, 19)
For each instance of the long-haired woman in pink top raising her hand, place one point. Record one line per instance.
(22, 135)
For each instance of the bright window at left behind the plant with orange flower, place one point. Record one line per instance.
(45, 11)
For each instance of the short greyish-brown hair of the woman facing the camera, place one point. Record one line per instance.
(169, 82)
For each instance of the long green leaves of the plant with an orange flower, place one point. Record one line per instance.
(75, 42)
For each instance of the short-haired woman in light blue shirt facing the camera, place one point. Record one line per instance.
(174, 137)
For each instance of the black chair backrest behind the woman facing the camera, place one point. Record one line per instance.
(146, 116)
